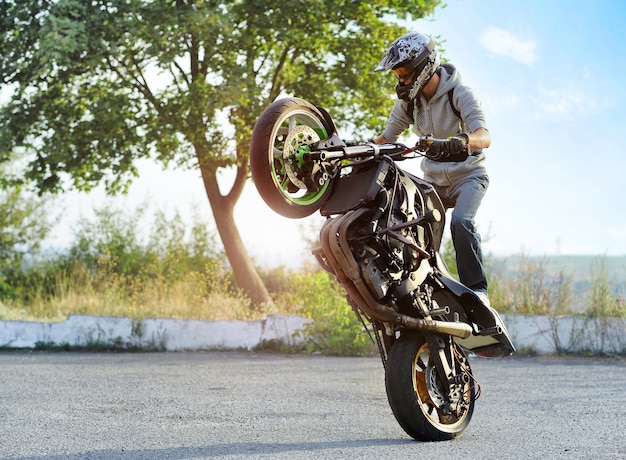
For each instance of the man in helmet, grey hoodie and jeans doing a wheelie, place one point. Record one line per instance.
(434, 101)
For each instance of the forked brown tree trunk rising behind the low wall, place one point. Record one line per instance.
(223, 206)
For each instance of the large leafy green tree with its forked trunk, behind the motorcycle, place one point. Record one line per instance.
(98, 84)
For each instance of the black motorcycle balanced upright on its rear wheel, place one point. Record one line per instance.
(381, 240)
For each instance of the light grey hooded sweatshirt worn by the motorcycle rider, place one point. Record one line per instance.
(437, 118)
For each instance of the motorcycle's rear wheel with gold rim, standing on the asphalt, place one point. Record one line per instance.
(422, 405)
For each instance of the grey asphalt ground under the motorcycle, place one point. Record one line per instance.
(245, 405)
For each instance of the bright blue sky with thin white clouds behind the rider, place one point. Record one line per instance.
(551, 75)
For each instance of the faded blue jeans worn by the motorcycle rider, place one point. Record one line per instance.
(465, 197)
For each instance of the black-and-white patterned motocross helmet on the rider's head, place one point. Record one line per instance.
(418, 54)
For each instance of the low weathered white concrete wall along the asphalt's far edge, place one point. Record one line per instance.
(536, 334)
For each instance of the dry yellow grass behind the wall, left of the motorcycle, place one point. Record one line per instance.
(193, 295)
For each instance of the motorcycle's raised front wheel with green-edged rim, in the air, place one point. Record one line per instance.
(290, 185)
